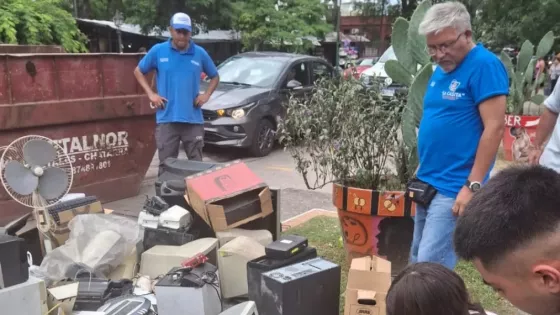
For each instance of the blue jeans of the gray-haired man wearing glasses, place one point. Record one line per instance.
(433, 233)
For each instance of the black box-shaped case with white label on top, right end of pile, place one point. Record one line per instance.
(311, 287)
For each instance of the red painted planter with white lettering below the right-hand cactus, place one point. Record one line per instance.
(519, 133)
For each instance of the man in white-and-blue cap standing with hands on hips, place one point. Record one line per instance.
(178, 63)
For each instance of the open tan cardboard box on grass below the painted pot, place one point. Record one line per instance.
(369, 280)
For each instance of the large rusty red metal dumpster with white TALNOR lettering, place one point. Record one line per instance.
(92, 106)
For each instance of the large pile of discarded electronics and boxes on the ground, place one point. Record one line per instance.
(210, 246)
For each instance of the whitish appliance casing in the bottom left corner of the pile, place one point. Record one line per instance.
(29, 298)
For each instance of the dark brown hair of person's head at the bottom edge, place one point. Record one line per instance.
(429, 289)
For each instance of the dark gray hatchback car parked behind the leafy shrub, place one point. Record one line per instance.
(245, 109)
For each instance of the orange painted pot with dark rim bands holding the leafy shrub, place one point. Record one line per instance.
(375, 223)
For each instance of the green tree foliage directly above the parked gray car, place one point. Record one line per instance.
(279, 23)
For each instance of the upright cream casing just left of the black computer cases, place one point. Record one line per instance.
(232, 262)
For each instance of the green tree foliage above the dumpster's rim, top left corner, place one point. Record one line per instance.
(39, 22)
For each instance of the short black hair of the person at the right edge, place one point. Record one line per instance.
(515, 206)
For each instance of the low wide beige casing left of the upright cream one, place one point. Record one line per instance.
(159, 259)
